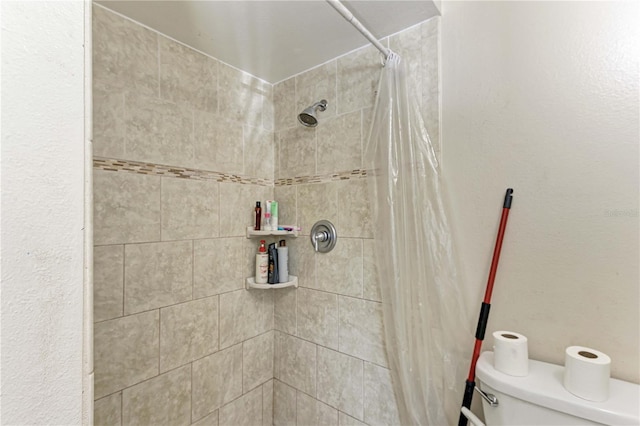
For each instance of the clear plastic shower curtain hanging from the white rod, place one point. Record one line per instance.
(427, 329)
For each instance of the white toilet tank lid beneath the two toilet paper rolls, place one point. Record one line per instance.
(544, 386)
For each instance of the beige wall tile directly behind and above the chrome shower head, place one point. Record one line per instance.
(317, 84)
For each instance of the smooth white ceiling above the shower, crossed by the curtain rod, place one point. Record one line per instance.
(273, 40)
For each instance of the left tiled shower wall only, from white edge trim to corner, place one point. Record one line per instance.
(183, 147)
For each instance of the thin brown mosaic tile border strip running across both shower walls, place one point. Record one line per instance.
(127, 166)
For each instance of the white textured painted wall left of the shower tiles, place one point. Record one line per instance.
(42, 215)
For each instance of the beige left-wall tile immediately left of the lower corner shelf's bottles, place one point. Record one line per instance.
(217, 266)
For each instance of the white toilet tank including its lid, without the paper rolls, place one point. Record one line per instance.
(541, 399)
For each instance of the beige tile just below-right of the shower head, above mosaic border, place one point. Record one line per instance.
(340, 143)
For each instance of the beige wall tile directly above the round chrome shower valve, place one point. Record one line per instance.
(317, 201)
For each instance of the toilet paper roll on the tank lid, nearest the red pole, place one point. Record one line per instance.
(510, 353)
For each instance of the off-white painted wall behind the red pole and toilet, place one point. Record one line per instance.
(543, 97)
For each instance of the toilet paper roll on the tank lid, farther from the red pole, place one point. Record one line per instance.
(586, 373)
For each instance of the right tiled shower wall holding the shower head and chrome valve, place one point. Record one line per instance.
(330, 365)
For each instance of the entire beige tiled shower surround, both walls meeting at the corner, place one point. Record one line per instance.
(184, 145)
